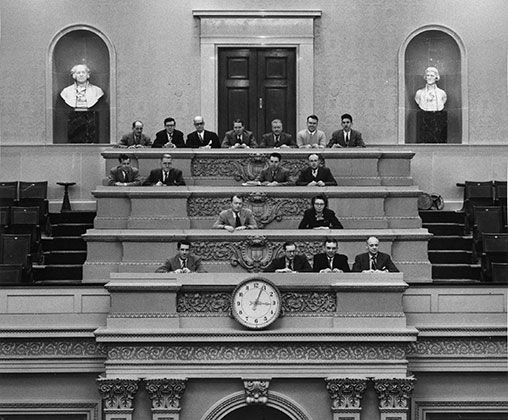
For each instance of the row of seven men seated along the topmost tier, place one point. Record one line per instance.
(240, 137)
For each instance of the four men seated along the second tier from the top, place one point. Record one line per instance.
(274, 175)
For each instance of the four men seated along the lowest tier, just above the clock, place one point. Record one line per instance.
(329, 261)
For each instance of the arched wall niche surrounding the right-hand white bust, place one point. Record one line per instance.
(438, 47)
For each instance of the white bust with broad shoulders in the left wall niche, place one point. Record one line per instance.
(81, 94)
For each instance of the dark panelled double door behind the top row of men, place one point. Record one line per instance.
(257, 85)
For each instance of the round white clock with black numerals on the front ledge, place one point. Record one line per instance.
(256, 303)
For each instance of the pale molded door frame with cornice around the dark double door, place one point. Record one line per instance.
(261, 28)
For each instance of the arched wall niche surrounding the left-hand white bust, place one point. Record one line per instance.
(81, 44)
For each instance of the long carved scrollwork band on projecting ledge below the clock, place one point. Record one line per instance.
(325, 352)
